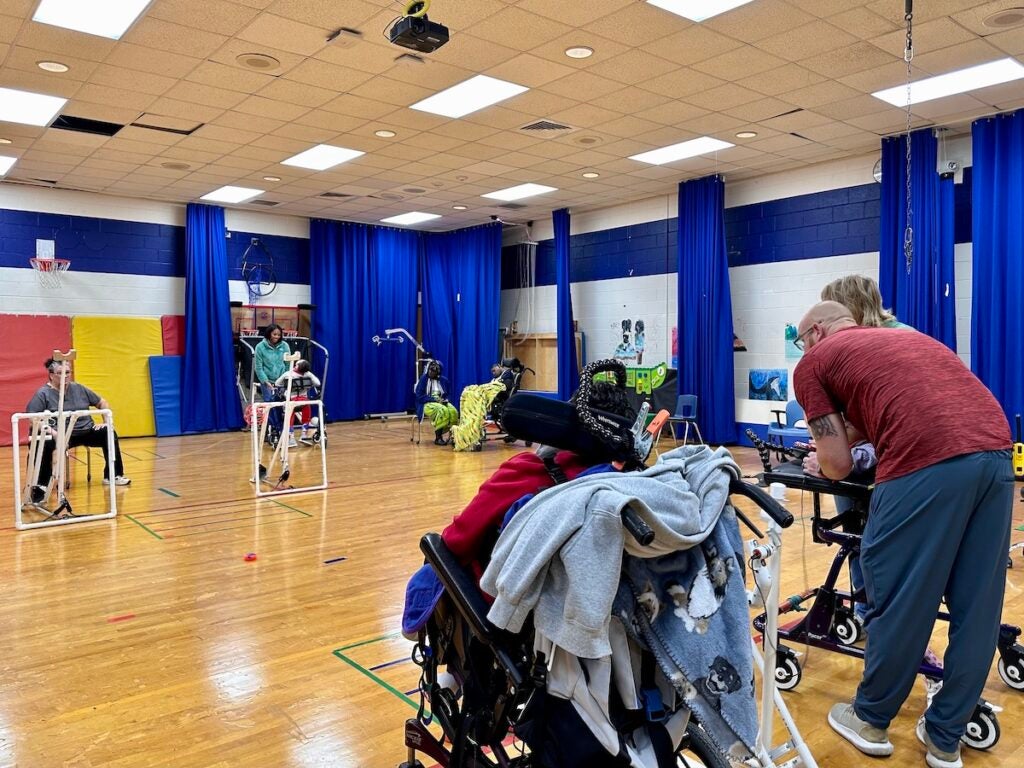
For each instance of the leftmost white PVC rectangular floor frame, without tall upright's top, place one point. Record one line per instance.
(66, 425)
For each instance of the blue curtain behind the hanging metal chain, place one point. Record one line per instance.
(925, 298)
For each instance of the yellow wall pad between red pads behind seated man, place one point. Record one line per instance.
(114, 360)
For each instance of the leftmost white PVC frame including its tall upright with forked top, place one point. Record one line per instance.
(56, 428)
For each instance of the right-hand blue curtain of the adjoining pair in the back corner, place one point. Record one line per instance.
(462, 301)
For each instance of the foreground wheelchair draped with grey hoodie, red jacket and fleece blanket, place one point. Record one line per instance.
(588, 655)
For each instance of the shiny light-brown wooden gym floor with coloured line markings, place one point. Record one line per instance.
(150, 642)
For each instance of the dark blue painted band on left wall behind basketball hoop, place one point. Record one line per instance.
(98, 245)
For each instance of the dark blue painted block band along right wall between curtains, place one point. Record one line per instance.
(806, 227)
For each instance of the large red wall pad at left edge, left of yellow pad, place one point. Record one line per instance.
(28, 342)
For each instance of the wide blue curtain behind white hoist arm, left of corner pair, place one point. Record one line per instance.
(364, 281)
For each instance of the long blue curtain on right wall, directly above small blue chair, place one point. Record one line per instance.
(706, 309)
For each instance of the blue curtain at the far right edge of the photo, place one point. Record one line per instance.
(998, 323)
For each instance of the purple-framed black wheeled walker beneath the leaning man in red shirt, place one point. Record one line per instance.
(830, 623)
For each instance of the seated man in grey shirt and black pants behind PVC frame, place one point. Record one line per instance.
(87, 432)
